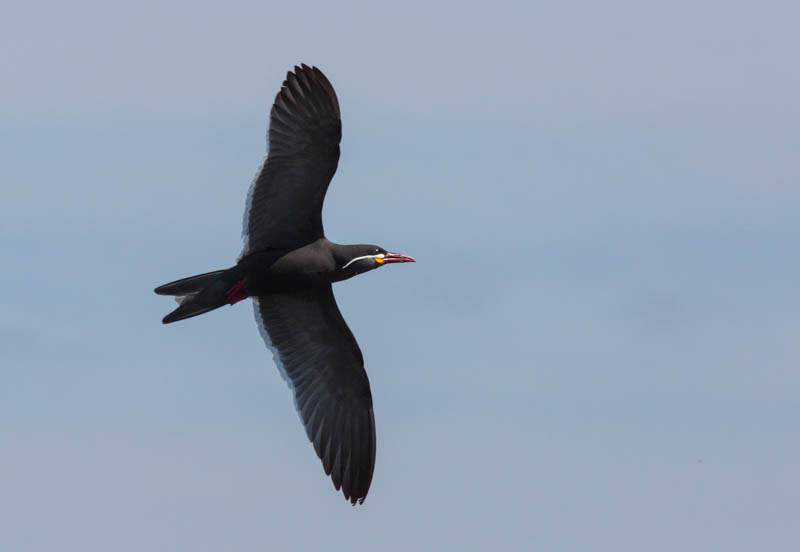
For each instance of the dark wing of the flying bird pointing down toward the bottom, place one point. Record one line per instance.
(320, 360)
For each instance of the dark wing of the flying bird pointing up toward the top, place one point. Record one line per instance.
(284, 206)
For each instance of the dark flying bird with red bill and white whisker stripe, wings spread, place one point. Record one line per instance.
(288, 267)
